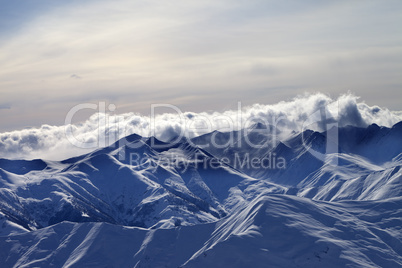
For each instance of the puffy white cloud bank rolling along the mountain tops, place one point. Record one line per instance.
(101, 129)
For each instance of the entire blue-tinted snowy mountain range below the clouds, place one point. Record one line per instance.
(247, 198)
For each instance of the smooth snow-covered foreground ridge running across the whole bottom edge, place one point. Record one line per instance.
(272, 230)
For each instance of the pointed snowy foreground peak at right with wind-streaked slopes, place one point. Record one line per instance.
(285, 231)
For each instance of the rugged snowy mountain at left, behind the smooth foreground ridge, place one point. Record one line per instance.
(162, 188)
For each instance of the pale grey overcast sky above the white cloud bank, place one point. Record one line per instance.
(198, 55)
